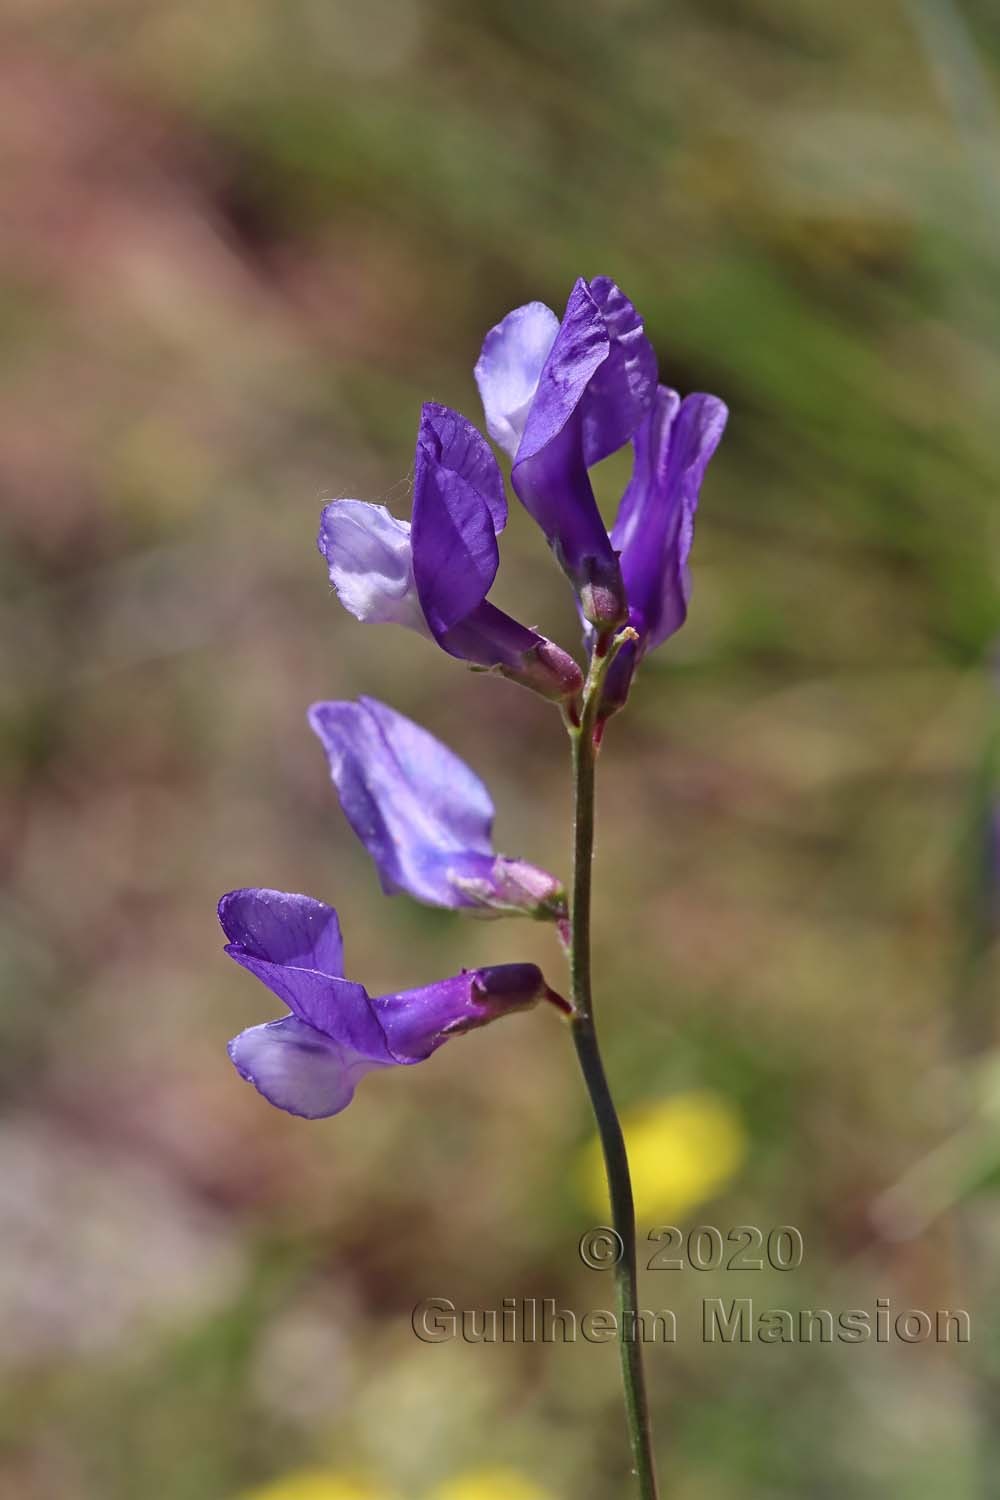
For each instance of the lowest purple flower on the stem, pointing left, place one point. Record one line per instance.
(311, 1063)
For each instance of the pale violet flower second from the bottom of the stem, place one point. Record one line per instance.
(424, 815)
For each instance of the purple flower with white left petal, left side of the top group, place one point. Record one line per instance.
(434, 575)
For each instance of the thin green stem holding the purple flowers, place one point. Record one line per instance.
(594, 1076)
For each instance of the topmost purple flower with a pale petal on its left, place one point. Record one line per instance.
(558, 398)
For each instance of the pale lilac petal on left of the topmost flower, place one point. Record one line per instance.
(509, 370)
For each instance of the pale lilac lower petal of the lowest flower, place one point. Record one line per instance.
(298, 1069)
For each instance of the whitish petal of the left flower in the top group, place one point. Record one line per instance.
(370, 559)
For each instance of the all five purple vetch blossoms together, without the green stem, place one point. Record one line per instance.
(558, 395)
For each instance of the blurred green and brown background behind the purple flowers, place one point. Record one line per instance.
(242, 244)
